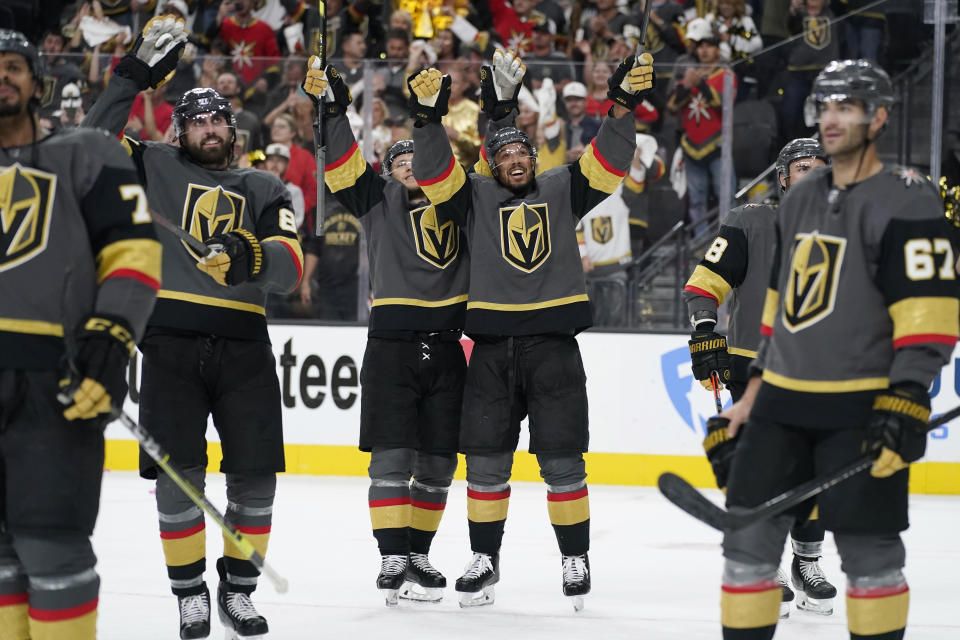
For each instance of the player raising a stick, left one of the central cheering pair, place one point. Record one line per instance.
(413, 367)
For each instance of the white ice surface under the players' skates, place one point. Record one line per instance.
(656, 571)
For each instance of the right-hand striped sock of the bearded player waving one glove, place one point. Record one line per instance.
(250, 511)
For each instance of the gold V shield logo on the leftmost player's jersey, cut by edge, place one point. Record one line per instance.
(26, 202)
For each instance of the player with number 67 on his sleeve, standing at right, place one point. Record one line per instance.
(860, 317)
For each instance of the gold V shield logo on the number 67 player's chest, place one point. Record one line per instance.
(813, 279)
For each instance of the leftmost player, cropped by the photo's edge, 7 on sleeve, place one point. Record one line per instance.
(79, 272)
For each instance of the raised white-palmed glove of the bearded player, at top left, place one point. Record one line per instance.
(154, 56)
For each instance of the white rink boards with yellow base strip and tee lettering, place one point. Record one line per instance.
(647, 413)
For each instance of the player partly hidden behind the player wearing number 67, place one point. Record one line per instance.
(738, 264)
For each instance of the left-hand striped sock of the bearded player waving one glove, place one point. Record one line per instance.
(182, 533)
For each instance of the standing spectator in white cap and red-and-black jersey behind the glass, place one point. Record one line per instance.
(698, 99)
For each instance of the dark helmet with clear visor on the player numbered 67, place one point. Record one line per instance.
(840, 80)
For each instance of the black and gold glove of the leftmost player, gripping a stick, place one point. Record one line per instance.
(96, 381)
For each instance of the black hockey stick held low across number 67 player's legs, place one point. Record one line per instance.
(684, 495)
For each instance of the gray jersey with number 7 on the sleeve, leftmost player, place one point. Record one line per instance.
(76, 238)
